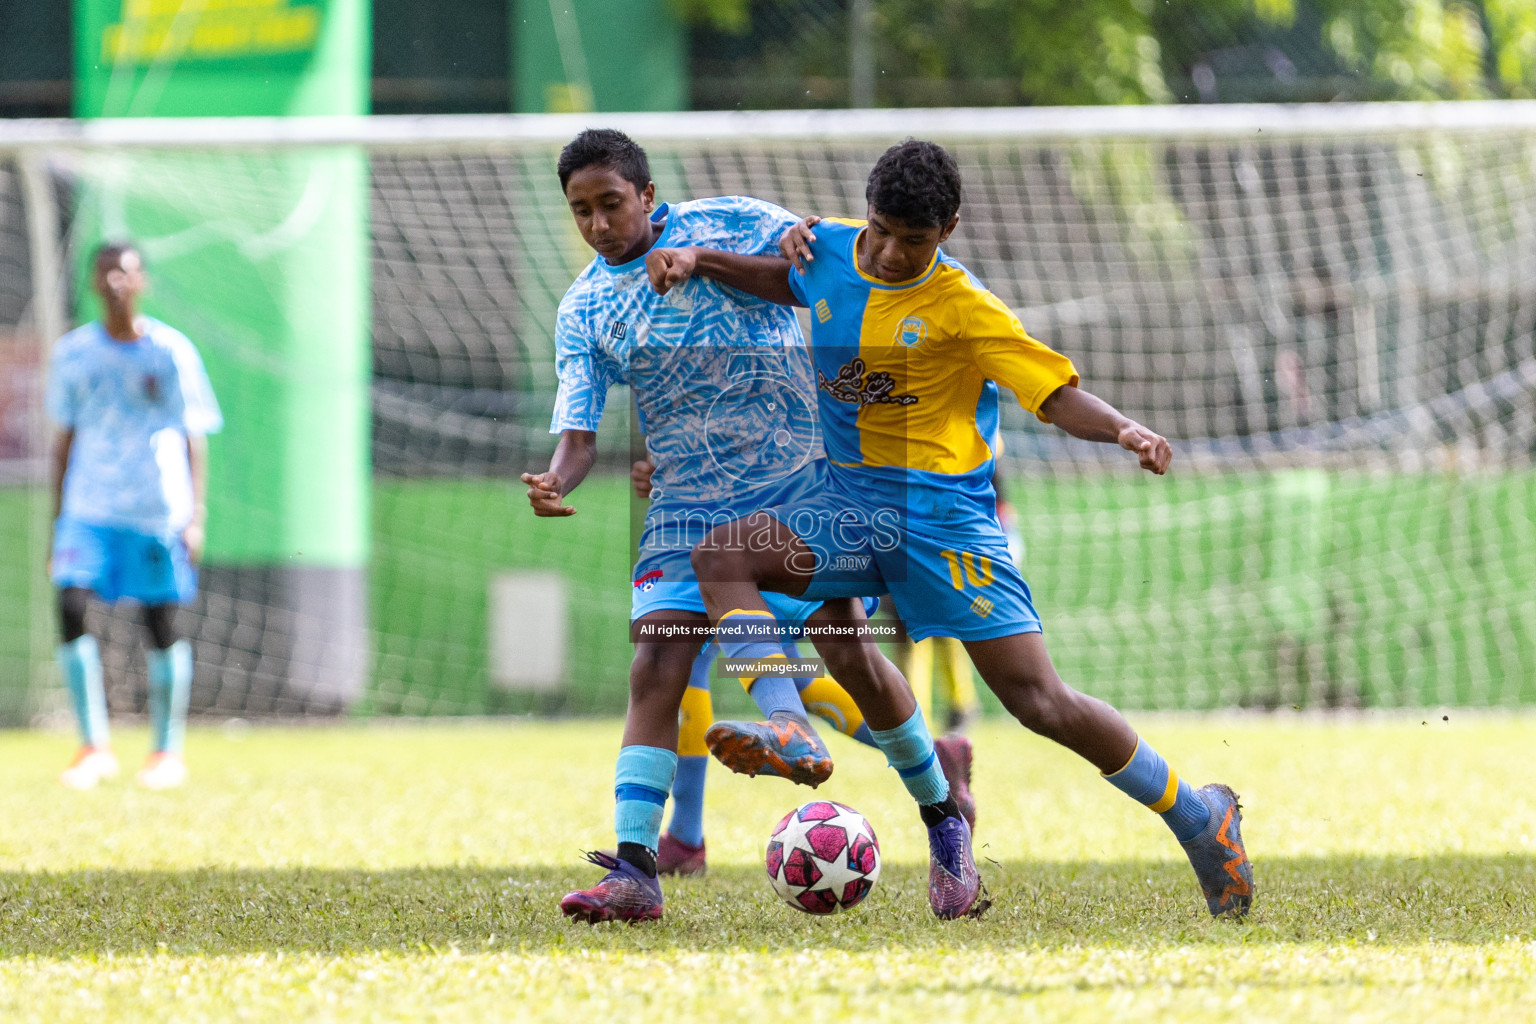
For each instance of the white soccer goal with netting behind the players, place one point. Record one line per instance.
(1328, 309)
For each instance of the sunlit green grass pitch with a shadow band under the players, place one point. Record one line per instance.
(412, 873)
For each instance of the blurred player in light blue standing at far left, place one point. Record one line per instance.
(133, 406)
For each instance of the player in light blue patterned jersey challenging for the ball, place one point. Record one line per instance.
(726, 394)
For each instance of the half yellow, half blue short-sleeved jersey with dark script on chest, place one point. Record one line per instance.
(909, 372)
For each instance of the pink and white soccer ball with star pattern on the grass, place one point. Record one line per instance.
(824, 857)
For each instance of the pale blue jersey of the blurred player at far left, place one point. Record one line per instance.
(131, 406)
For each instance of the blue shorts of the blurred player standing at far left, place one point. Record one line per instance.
(116, 563)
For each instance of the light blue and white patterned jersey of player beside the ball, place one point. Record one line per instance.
(723, 380)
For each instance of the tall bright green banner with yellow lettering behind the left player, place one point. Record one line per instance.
(260, 257)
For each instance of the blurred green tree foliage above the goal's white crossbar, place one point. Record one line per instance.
(795, 53)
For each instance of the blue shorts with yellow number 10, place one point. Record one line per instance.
(944, 560)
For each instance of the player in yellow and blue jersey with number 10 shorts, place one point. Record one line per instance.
(910, 351)
